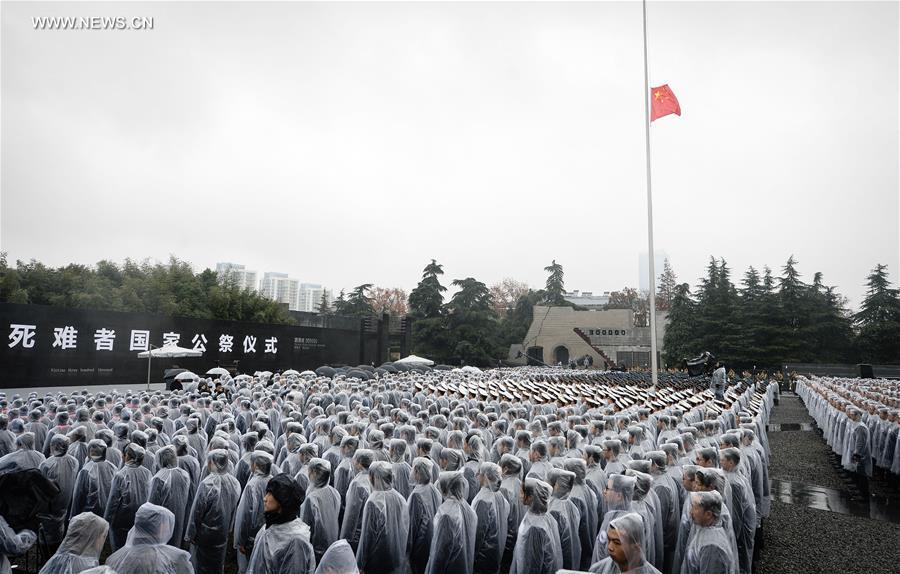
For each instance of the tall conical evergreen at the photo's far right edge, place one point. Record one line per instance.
(878, 319)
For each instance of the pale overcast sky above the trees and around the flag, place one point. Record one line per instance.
(346, 143)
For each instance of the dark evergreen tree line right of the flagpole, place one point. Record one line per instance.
(770, 320)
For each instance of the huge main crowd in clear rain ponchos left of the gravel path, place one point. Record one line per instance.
(411, 472)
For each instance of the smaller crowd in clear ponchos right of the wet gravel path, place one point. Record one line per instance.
(860, 420)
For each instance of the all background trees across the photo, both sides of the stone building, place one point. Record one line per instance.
(765, 321)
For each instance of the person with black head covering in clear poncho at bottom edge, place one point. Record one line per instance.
(282, 545)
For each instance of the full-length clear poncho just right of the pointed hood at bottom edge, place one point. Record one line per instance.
(385, 525)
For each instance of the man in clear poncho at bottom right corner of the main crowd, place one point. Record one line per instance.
(708, 550)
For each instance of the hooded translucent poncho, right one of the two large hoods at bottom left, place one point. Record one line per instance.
(146, 551)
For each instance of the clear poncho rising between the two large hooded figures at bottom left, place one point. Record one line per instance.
(129, 490)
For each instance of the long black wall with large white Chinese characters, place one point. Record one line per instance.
(55, 346)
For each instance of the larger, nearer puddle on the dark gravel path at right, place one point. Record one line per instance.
(821, 498)
